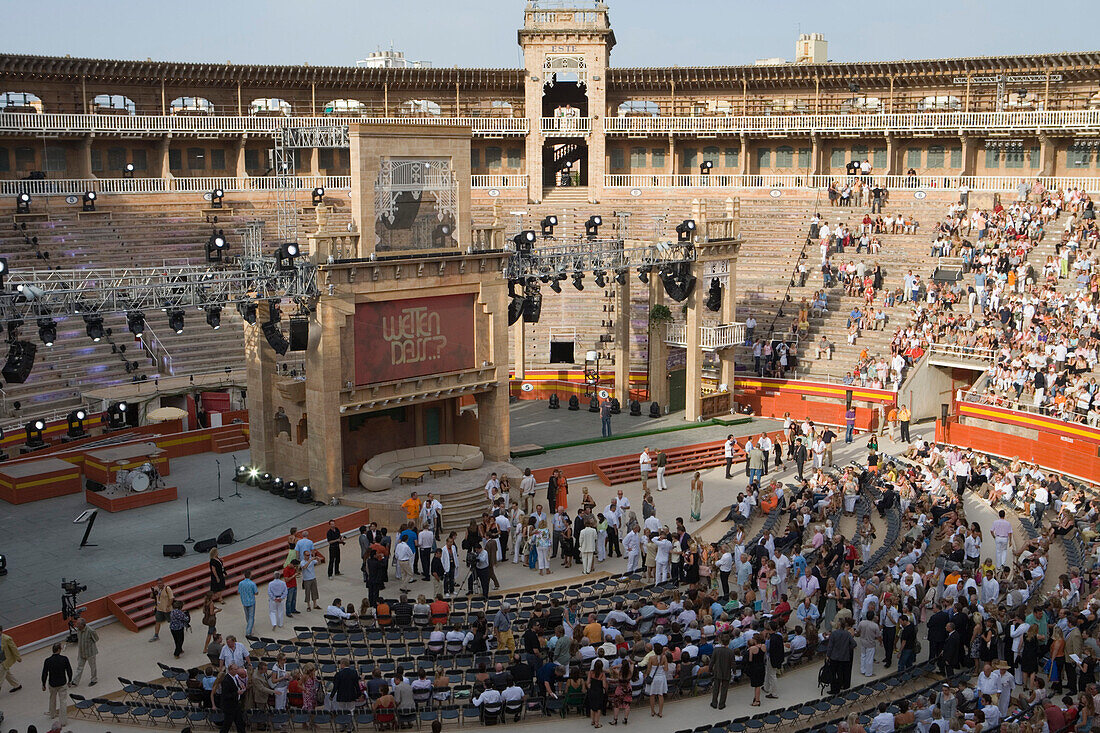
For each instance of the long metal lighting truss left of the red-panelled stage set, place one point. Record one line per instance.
(252, 277)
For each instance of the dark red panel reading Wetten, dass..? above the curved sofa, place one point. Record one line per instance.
(415, 337)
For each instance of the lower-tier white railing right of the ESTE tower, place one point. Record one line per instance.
(948, 182)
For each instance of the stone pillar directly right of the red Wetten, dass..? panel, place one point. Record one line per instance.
(493, 418)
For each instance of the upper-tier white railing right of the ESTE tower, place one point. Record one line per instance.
(1032, 122)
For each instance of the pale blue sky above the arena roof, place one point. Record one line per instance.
(483, 32)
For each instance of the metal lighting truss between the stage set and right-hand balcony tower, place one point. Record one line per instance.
(560, 260)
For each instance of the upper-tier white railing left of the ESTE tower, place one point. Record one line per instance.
(206, 125)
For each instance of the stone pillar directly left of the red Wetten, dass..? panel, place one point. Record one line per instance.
(324, 381)
